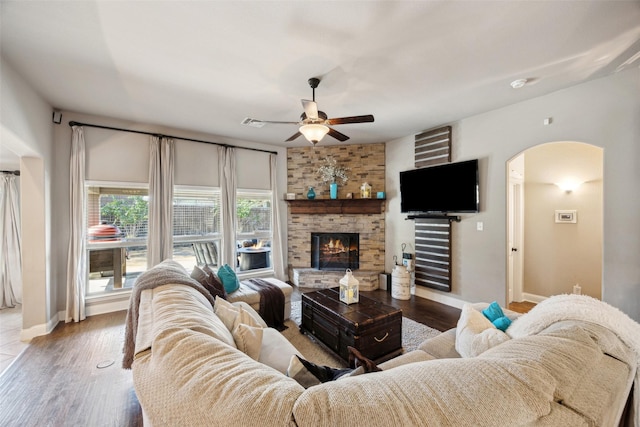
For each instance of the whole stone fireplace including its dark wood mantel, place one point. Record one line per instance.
(365, 217)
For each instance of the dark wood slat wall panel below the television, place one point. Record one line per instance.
(433, 253)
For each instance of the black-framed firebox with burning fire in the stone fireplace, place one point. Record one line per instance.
(335, 251)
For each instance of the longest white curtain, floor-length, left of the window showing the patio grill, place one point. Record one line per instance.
(77, 259)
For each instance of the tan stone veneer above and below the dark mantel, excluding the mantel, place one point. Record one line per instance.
(366, 163)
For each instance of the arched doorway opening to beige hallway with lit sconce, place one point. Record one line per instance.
(554, 233)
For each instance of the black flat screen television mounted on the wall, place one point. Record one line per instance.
(447, 188)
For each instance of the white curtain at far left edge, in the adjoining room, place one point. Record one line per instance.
(10, 254)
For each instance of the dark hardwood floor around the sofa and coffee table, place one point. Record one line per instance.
(59, 379)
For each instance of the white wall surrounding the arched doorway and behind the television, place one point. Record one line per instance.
(603, 113)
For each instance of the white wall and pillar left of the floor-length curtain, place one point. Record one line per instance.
(26, 129)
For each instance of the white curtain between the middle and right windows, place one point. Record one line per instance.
(227, 171)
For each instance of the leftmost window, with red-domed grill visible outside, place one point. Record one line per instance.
(117, 228)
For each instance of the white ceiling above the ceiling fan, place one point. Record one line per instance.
(206, 65)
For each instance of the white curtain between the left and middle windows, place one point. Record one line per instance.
(161, 169)
